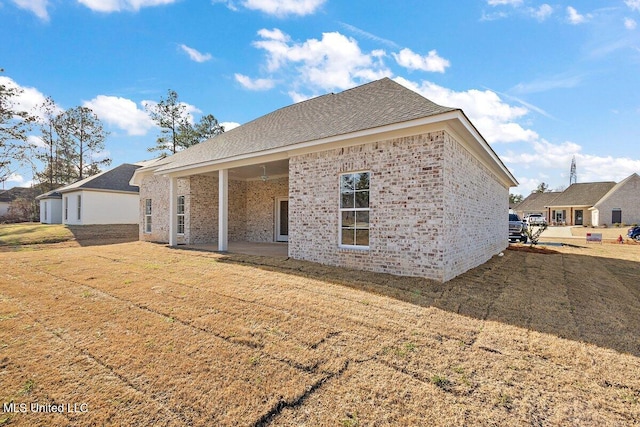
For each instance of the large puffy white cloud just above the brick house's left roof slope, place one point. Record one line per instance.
(334, 62)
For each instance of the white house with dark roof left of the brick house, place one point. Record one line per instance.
(105, 198)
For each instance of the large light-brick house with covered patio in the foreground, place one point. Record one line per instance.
(375, 178)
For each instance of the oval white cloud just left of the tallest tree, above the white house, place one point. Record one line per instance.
(122, 113)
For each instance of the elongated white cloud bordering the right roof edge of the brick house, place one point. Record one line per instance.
(494, 118)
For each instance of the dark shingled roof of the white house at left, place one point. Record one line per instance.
(116, 179)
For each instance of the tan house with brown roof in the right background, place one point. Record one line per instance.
(588, 203)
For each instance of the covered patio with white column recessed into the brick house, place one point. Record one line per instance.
(231, 209)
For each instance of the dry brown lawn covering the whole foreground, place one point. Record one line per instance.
(147, 335)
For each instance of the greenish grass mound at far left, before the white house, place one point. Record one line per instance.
(33, 233)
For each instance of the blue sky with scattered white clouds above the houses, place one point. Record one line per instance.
(543, 82)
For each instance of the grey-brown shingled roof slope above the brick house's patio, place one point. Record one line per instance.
(379, 103)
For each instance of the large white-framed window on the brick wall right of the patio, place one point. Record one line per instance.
(354, 209)
